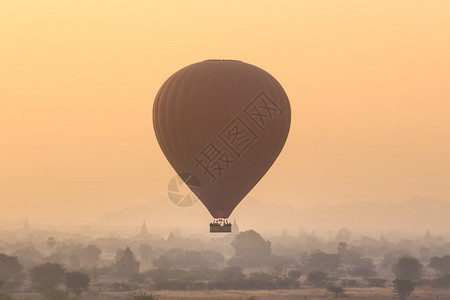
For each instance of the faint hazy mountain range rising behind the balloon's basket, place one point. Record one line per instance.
(415, 215)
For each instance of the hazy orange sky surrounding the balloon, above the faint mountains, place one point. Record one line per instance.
(368, 81)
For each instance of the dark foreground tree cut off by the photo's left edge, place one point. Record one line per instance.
(11, 273)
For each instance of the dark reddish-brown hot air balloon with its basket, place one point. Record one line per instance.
(221, 125)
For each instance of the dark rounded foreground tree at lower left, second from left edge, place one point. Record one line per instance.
(47, 276)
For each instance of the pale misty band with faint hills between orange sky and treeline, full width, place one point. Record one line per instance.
(160, 214)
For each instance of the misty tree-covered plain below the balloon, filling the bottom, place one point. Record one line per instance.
(242, 265)
